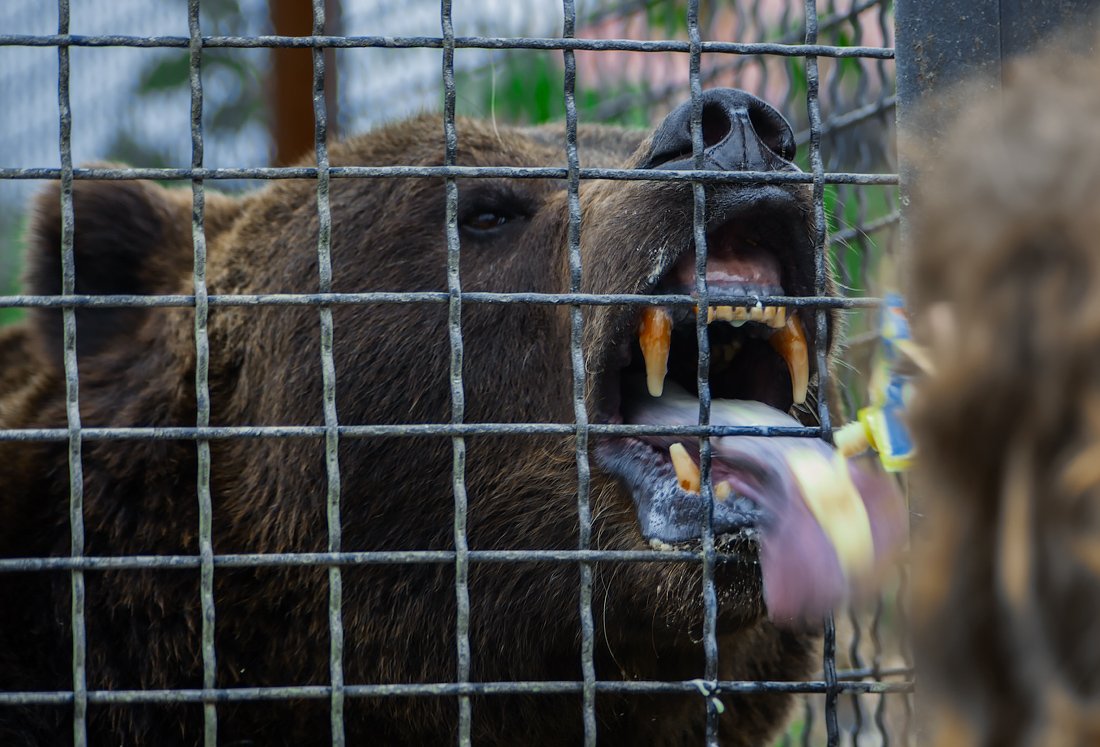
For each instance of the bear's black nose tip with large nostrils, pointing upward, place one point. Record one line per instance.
(741, 134)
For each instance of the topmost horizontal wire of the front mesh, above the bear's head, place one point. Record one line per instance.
(460, 42)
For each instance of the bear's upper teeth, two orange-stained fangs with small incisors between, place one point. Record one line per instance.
(789, 340)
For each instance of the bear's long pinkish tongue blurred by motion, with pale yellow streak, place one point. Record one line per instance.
(831, 523)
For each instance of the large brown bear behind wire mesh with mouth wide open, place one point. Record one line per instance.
(138, 369)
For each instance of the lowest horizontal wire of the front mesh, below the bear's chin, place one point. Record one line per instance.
(446, 689)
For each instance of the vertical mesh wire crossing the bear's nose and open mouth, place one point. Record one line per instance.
(707, 495)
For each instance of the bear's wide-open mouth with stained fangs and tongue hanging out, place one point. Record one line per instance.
(821, 521)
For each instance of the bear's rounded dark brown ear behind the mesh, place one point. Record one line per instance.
(128, 238)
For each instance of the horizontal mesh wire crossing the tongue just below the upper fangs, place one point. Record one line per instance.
(409, 430)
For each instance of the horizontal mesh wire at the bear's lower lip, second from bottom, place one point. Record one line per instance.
(329, 559)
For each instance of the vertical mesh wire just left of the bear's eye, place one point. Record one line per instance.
(458, 394)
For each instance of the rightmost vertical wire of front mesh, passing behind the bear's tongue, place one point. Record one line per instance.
(821, 337)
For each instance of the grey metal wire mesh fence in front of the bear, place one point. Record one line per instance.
(856, 682)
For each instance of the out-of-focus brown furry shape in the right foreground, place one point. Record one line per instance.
(1007, 282)
